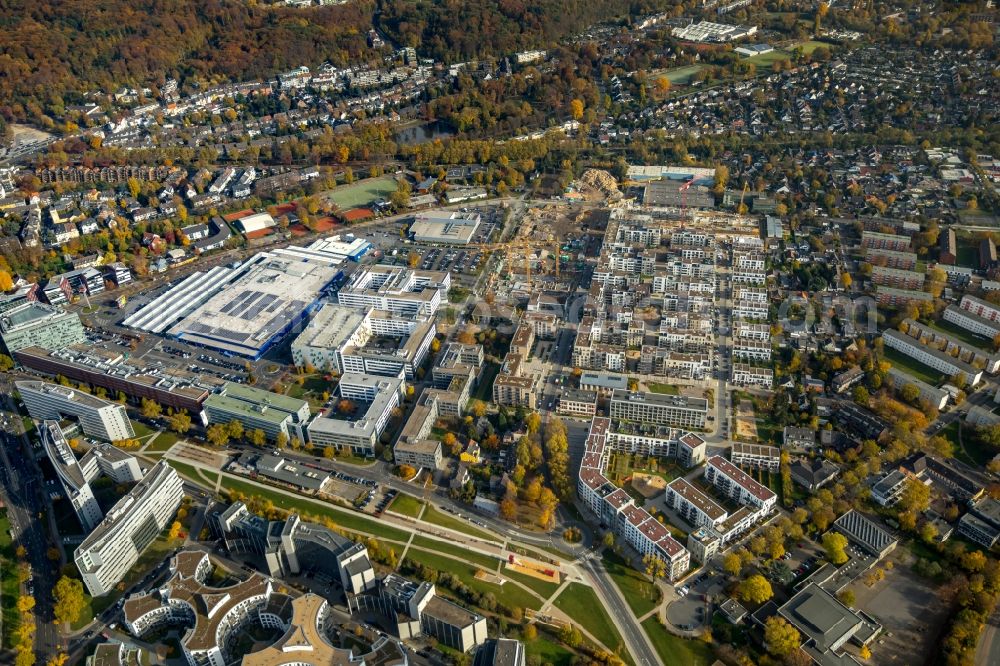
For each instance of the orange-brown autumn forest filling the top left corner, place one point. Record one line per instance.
(50, 50)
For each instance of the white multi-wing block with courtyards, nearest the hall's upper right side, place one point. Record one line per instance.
(399, 290)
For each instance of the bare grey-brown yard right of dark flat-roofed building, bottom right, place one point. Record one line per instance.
(909, 609)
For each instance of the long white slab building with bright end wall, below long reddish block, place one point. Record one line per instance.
(97, 418)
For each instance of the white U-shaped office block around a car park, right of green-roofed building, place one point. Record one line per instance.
(378, 397)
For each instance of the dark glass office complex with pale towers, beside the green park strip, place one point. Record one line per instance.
(293, 547)
